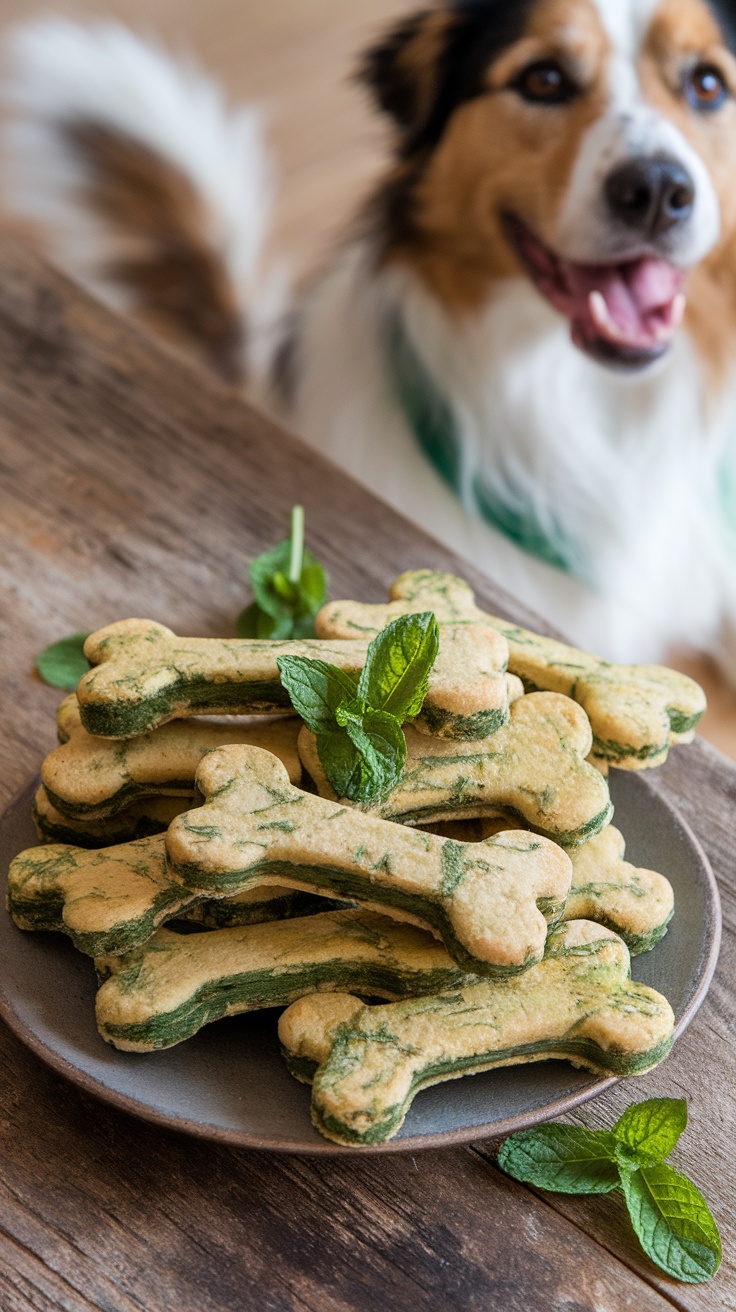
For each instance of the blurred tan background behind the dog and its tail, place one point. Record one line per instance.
(296, 58)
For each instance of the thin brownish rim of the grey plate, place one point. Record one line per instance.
(418, 1143)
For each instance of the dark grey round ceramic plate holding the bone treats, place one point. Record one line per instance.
(230, 1082)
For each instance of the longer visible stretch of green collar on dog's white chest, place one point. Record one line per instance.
(430, 417)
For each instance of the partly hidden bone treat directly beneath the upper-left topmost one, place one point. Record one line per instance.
(90, 779)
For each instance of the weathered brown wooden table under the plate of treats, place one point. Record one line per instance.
(132, 485)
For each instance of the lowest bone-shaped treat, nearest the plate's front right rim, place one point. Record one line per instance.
(369, 1062)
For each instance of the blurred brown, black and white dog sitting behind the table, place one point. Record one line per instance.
(527, 343)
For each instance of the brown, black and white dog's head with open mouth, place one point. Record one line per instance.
(590, 144)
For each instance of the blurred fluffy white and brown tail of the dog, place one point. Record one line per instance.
(141, 182)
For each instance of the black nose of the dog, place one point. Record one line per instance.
(651, 195)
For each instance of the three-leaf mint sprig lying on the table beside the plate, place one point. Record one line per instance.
(670, 1216)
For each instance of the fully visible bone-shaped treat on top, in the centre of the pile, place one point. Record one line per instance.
(490, 903)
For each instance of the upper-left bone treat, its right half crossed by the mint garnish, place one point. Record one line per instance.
(146, 676)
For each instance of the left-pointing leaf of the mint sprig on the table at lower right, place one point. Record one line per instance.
(563, 1159)
